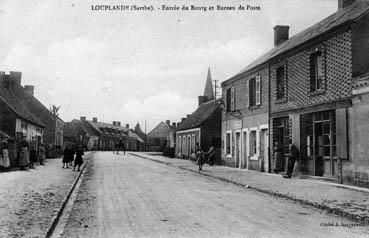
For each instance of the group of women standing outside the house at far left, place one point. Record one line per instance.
(28, 154)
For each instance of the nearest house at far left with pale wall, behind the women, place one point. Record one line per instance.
(16, 119)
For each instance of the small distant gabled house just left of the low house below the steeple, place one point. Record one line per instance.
(157, 137)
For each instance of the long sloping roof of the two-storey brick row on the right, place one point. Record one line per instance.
(342, 16)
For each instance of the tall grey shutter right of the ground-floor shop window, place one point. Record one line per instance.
(341, 133)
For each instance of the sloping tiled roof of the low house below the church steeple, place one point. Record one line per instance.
(198, 116)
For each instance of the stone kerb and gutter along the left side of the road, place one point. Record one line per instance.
(56, 217)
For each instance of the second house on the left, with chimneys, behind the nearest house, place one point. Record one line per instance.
(53, 133)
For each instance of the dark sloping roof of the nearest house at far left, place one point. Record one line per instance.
(16, 105)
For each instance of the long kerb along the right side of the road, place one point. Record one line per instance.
(328, 209)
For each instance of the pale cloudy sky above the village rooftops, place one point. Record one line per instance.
(137, 66)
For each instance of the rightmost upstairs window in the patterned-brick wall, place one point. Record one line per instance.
(316, 71)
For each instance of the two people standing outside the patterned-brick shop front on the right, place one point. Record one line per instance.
(278, 159)
